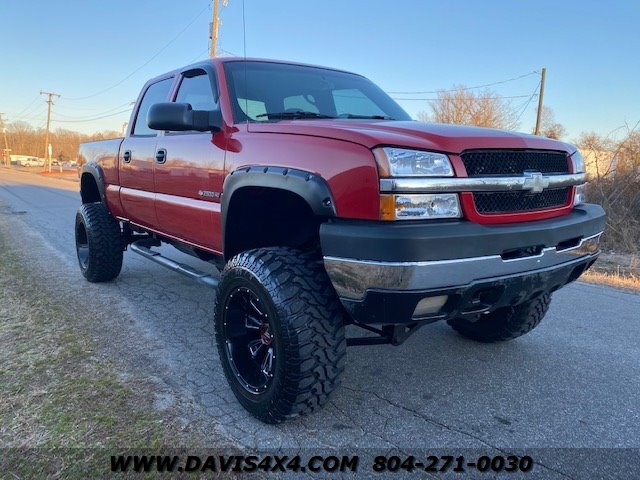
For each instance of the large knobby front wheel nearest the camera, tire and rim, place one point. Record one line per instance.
(279, 332)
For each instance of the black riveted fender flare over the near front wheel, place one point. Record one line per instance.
(311, 187)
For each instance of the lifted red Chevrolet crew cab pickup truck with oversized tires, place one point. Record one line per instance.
(324, 205)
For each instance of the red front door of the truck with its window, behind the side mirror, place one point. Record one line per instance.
(189, 169)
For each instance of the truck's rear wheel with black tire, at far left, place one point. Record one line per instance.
(98, 243)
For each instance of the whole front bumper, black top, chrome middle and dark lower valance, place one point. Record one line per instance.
(382, 271)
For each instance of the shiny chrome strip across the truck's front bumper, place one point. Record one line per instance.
(352, 278)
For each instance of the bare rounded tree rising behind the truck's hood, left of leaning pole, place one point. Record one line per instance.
(465, 107)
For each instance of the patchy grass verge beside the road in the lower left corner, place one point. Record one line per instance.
(63, 409)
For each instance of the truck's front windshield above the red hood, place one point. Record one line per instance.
(265, 91)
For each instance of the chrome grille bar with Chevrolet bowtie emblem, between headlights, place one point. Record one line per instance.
(531, 182)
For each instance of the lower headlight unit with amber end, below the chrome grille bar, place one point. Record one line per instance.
(419, 206)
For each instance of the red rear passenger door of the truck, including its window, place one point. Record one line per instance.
(137, 159)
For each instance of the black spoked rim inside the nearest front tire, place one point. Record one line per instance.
(249, 340)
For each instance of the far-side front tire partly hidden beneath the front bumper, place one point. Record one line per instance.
(505, 323)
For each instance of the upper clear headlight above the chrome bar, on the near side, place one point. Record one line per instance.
(400, 162)
